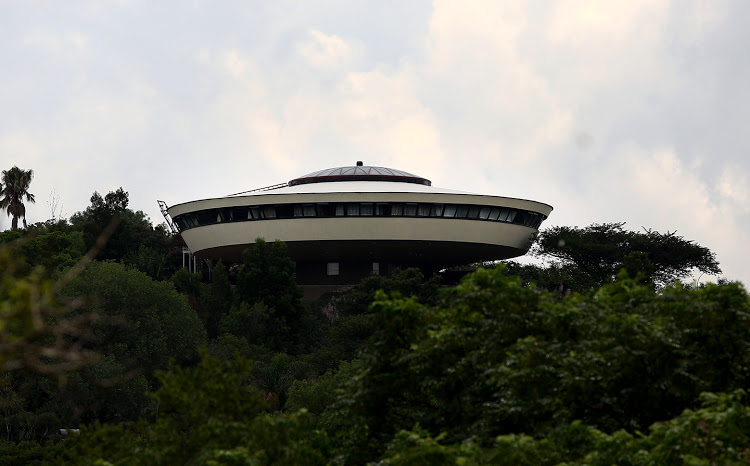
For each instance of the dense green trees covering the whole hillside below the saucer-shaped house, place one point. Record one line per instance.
(396, 370)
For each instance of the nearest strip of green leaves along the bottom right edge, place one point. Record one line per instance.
(716, 433)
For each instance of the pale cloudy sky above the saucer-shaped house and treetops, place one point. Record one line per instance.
(610, 111)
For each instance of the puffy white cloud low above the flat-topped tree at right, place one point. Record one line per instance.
(655, 189)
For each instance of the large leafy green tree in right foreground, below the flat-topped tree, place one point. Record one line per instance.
(495, 358)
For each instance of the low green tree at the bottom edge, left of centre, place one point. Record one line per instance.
(207, 415)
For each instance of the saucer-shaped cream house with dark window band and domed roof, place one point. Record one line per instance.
(342, 224)
